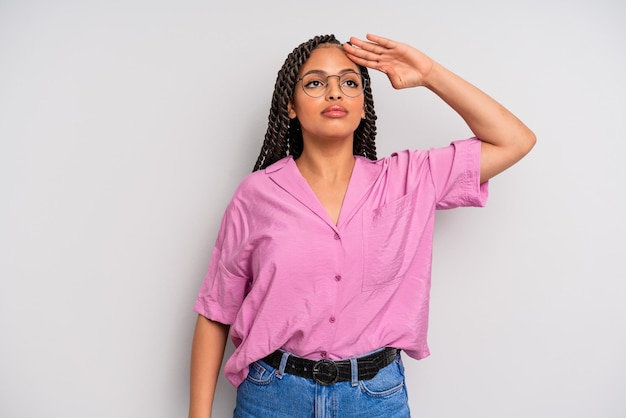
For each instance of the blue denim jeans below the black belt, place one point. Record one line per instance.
(267, 393)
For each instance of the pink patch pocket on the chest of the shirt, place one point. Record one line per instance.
(390, 242)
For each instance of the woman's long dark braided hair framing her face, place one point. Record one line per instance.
(284, 136)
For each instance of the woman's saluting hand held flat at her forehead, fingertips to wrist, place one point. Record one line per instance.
(404, 65)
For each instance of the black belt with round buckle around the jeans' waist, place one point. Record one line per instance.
(327, 372)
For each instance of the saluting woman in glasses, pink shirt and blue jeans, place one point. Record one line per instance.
(321, 269)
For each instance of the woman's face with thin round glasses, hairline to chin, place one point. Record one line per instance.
(333, 115)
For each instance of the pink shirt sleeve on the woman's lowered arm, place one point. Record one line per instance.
(226, 282)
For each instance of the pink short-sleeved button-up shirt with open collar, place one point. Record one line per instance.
(284, 276)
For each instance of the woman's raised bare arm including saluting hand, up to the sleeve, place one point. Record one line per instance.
(505, 138)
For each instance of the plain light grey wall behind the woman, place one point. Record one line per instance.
(125, 127)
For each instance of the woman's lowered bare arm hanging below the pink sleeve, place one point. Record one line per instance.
(207, 353)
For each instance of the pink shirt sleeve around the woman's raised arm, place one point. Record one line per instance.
(455, 171)
